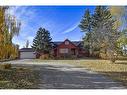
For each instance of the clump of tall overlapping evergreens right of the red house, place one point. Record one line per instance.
(100, 29)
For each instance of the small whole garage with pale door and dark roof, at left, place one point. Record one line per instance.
(27, 53)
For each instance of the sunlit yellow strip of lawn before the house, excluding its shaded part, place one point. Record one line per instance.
(94, 64)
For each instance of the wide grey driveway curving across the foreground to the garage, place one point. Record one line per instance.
(66, 76)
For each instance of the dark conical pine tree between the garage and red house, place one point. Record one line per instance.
(42, 41)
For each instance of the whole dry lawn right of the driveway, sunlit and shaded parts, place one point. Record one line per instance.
(116, 71)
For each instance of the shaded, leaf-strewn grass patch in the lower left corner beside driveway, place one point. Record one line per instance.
(16, 78)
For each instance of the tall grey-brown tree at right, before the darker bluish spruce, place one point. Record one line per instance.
(105, 33)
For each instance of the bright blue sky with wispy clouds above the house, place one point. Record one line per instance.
(61, 21)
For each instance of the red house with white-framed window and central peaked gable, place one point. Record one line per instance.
(69, 48)
